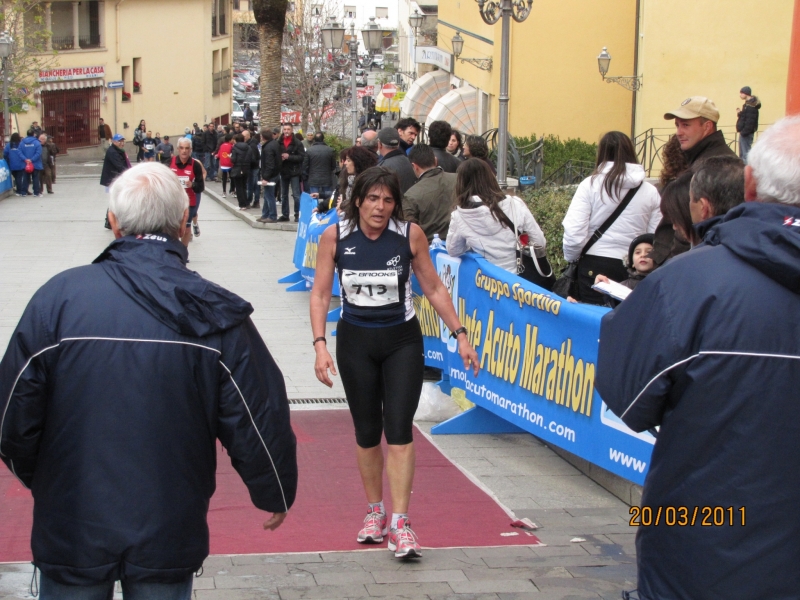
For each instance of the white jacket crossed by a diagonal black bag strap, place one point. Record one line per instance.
(591, 206)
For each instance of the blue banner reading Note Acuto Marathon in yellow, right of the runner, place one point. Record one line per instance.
(538, 356)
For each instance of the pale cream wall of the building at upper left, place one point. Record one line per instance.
(173, 40)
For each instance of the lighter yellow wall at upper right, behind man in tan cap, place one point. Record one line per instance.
(713, 48)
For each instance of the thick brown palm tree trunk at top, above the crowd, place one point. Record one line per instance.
(270, 16)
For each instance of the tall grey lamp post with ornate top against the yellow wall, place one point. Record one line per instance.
(491, 12)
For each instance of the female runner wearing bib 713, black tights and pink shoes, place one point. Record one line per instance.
(379, 342)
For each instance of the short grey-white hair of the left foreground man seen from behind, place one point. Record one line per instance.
(148, 198)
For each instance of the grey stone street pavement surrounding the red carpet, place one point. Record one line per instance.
(43, 236)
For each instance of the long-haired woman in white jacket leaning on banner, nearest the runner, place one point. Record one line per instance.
(485, 218)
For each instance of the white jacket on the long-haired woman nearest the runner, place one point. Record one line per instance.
(476, 229)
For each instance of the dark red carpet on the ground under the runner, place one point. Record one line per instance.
(330, 502)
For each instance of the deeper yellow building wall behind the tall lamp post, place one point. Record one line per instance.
(554, 84)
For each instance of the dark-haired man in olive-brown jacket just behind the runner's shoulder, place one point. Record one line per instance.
(429, 202)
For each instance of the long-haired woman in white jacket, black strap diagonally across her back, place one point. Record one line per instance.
(617, 172)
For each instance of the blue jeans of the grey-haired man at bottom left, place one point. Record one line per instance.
(52, 590)
